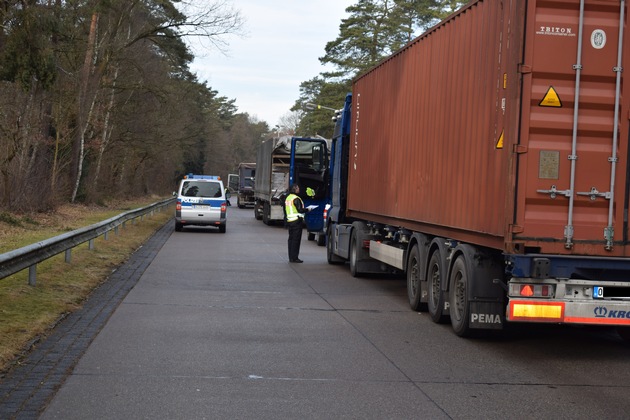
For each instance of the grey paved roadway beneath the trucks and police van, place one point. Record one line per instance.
(221, 326)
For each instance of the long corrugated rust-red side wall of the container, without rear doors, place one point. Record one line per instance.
(424, 130)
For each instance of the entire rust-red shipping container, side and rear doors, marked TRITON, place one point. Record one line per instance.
(468, 131)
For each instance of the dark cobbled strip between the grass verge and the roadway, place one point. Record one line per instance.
(27, 389)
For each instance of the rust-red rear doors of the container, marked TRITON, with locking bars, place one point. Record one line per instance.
(558, 212)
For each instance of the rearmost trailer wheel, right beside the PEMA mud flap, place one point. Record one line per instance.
(458, 298)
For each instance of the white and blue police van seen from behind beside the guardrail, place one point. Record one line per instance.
(201, 201)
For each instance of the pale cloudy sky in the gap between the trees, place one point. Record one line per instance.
(283, 40)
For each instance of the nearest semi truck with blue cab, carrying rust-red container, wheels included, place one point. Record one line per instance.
(487, 162)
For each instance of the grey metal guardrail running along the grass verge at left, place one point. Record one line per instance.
(30, 255)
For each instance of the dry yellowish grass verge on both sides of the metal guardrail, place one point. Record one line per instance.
(29, 312)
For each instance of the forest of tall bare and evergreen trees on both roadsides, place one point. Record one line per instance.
(97, 99)
